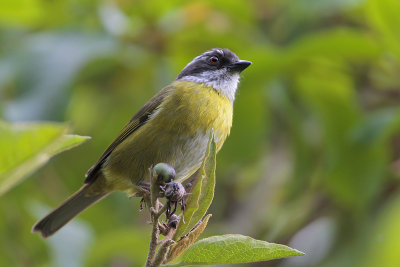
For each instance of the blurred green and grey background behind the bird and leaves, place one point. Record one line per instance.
(313, 158)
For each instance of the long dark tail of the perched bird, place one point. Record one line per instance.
(70, 208)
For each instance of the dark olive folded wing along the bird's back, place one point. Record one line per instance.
(138, 120)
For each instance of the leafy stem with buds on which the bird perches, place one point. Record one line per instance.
(225, 249)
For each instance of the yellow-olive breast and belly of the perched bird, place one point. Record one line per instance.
(177, 134)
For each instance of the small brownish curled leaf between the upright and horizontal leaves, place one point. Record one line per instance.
(186, 241)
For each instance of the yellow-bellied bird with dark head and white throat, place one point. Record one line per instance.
(173, 127)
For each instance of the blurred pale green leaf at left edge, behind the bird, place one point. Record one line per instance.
(25, 147)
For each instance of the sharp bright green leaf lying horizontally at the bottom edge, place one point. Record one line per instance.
(229, 249)
